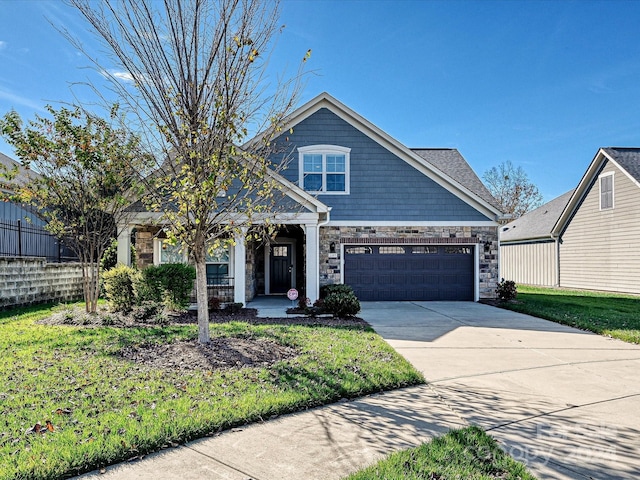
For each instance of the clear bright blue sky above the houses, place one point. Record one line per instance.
(543, 84)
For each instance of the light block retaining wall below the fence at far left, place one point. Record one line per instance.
(28, 280)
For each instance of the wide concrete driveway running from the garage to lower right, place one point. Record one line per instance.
(564, 401)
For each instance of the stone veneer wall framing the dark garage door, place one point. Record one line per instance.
(486, 237)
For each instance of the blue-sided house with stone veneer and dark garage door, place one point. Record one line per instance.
(392, 222)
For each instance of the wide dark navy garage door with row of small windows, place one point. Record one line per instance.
(410, 272)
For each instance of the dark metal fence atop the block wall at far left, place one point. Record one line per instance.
(20, 239)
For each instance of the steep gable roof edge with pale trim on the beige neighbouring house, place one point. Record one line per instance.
(627, 159)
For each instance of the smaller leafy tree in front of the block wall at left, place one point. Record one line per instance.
(85, 165)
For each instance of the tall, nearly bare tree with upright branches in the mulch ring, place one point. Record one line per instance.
(197, 71)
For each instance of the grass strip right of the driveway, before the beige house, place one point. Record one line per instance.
(611, 314)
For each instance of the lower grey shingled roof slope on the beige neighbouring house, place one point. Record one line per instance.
(536, 224)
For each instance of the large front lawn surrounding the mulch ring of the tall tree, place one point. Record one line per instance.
(105, 409)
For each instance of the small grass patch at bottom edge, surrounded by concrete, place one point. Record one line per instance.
(468, 454)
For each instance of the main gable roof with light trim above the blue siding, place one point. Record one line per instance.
(453, 177)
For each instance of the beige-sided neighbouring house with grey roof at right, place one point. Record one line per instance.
(594, 235)
